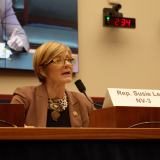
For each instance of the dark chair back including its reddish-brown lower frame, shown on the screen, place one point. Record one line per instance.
(53, 12)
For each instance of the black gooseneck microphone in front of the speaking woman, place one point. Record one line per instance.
(82, 89)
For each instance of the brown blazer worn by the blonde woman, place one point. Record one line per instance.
(35, 100)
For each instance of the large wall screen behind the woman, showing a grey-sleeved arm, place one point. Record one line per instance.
(36, 22)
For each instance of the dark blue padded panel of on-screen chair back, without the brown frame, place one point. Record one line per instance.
(56, 9)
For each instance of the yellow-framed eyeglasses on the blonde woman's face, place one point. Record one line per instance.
(60, 62)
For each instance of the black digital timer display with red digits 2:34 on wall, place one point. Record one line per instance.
(119, 22)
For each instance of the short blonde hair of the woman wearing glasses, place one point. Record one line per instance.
(45, 53)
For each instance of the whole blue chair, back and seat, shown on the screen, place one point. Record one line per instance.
(51, 20)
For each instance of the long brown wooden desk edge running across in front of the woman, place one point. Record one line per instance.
(78, 133)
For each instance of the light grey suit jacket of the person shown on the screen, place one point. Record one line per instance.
(9, 21)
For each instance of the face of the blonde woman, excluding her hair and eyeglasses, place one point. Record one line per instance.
(59, 75)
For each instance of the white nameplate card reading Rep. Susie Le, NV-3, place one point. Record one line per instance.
(131, 97)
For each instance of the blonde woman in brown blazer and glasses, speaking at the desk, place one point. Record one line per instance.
(50, 104)
